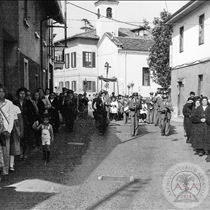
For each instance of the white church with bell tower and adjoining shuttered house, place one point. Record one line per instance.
(125, 52)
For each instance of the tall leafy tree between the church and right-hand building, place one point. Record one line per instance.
(158, 60)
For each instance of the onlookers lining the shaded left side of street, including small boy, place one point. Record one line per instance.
(30, 120)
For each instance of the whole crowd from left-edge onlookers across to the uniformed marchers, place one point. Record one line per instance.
(31, 120)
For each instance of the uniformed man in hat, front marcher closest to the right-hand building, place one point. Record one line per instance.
(165, 114)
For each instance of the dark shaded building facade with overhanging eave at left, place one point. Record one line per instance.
(26, 53)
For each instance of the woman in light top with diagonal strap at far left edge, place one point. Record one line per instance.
(6, 126)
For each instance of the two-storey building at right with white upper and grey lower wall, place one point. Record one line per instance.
(189, 54)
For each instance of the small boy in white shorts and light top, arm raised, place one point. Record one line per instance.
(47, 136)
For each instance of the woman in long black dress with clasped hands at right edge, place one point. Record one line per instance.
(201, 133)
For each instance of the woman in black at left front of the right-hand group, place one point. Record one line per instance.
(187, 112)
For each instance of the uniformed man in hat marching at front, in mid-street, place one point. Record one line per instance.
(134, 107)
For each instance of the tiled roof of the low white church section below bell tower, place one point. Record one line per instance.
(130, 43)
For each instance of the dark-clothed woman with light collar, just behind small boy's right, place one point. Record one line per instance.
(54, 112)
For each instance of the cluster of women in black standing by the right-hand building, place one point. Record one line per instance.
(196, 113)
